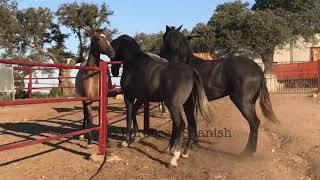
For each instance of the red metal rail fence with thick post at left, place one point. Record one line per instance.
(103, 120)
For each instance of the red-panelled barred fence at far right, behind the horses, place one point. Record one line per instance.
(294, 77)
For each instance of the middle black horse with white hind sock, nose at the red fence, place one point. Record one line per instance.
(148, 78)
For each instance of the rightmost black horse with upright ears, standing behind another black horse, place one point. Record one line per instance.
(237, 77)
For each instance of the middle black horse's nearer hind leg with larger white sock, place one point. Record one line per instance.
(178, 117)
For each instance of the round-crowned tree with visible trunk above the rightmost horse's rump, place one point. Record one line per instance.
(264, 33)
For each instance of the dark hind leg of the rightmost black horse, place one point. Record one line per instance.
(247, 108)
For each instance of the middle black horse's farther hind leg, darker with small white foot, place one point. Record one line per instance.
(192, 127)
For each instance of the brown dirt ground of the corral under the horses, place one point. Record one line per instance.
(286, 151)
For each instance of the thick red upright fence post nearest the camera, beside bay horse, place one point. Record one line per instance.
(103, 91)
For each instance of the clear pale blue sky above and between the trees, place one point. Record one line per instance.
(148, 16)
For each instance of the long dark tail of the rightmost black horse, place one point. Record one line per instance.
(265, 102)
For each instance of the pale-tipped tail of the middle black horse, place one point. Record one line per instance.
(201, 100)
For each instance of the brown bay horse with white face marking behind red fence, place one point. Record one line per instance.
(87, 82)
